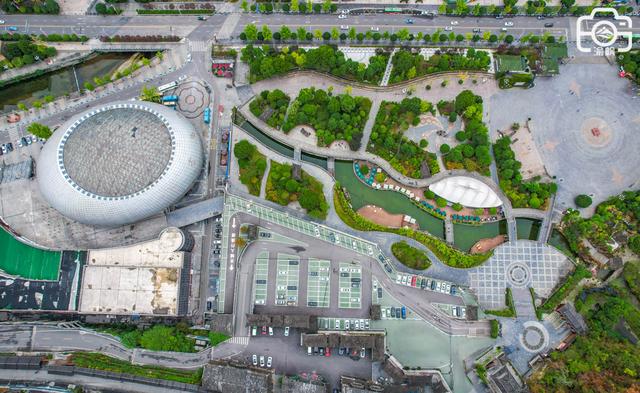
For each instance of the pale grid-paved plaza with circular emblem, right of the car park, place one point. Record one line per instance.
(519, 264)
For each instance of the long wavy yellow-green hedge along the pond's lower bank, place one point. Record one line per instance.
(448, 255)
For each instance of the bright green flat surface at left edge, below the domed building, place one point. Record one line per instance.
(19, 259)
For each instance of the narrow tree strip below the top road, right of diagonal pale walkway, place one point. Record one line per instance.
(408, 65)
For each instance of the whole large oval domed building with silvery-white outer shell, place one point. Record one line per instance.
(119, 163)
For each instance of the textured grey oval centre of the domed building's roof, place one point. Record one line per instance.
(117, 152)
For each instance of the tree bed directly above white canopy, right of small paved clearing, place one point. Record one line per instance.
(473, 152)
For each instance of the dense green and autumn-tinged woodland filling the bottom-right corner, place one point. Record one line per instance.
(605, 359)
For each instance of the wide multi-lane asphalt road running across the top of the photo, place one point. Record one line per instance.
(203, 30)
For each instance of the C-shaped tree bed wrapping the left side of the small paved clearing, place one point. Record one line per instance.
(388, 141)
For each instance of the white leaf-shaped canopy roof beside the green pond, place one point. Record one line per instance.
(466, 191)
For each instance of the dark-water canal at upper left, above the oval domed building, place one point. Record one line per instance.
(62, 81)
